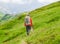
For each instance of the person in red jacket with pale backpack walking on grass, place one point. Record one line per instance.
(28, 23)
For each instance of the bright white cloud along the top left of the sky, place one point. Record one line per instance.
(17, 1)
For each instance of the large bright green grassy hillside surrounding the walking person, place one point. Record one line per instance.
(46, 22)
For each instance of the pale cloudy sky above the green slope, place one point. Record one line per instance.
(18, 6)
